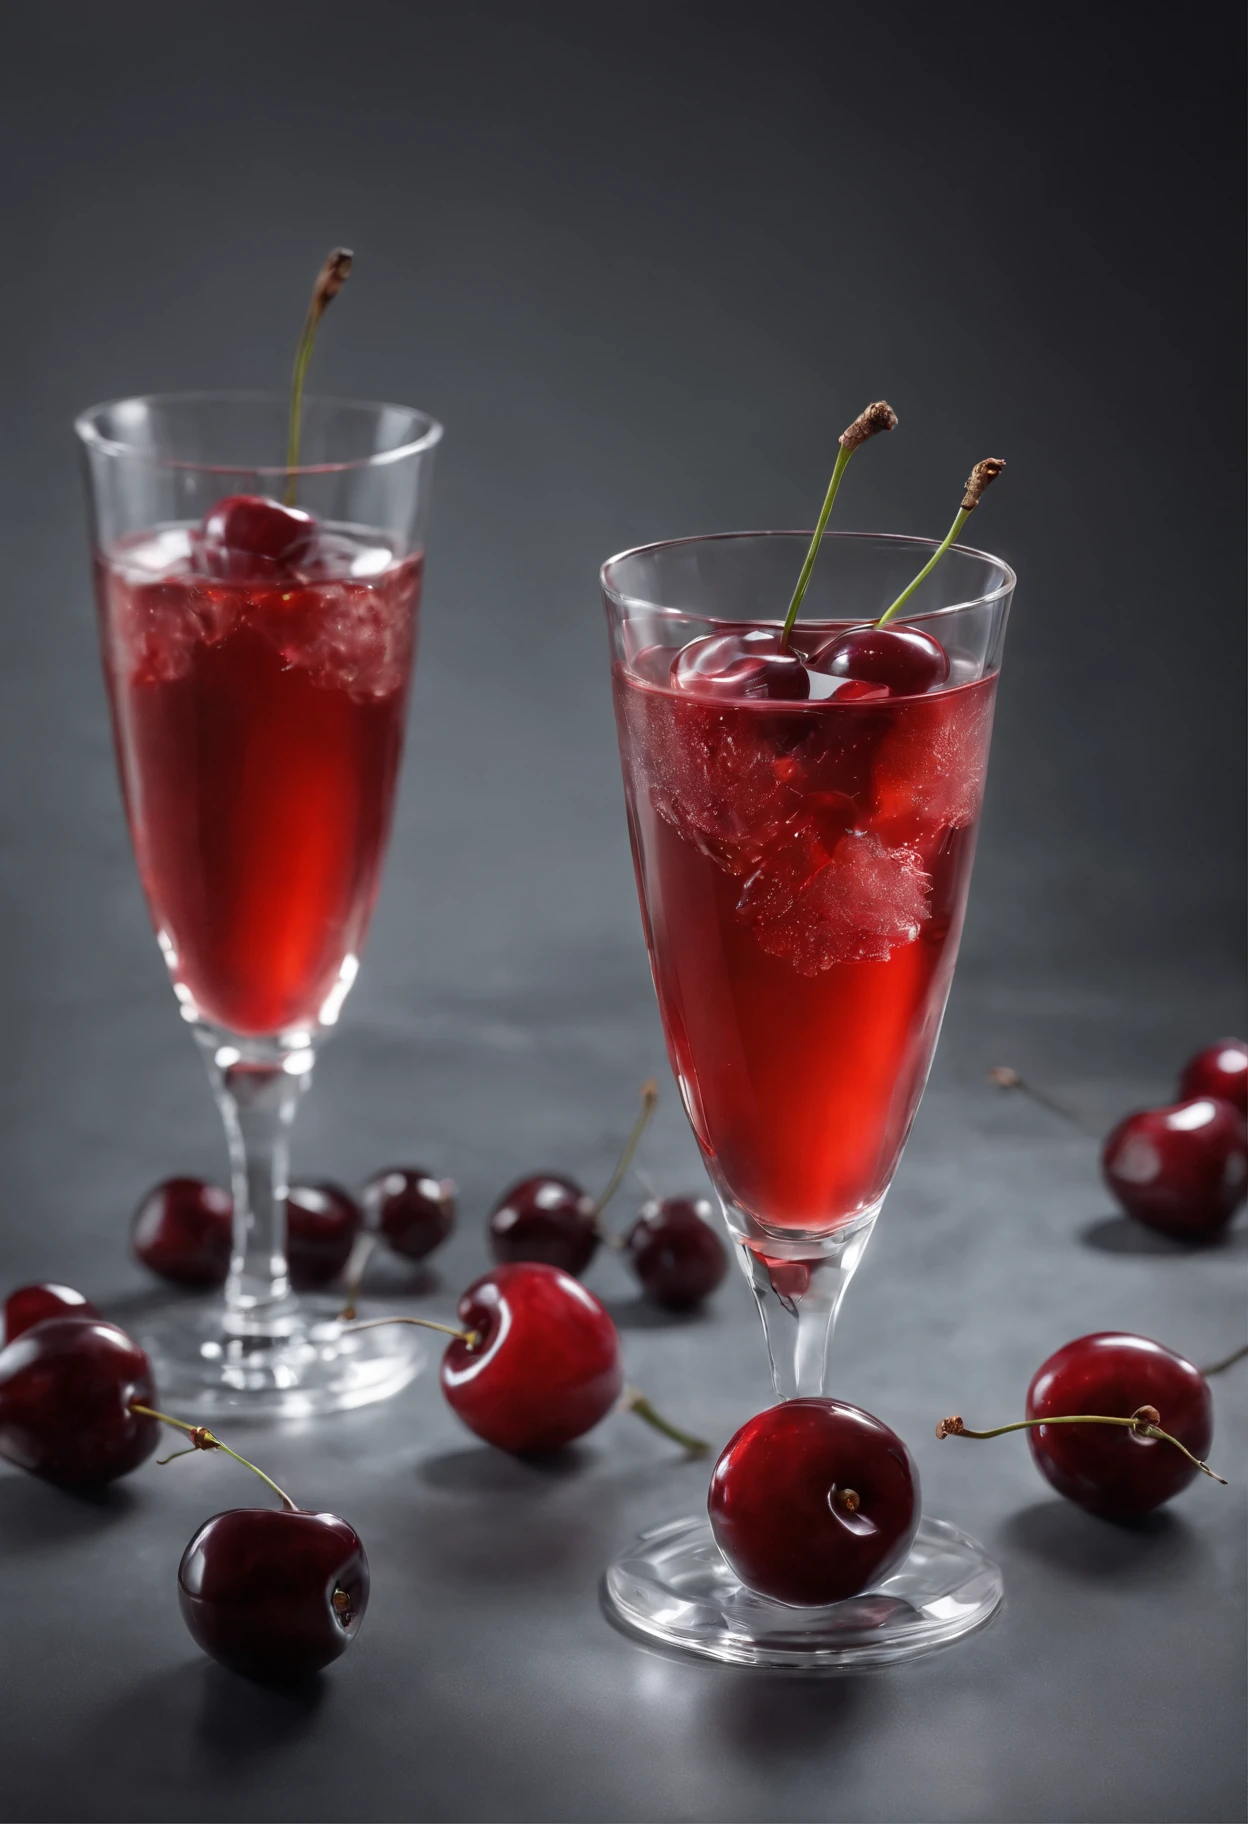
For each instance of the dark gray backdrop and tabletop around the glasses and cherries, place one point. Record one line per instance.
(645, 262)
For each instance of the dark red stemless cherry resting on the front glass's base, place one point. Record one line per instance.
(815, 1502)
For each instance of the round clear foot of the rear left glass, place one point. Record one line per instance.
(306, 1367)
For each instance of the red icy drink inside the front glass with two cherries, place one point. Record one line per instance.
(804, 875)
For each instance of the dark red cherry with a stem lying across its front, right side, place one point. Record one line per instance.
(1107, 1467)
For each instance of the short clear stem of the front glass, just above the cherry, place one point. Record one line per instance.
(800, 1294)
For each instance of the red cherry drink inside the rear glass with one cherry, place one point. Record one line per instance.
(260, 727)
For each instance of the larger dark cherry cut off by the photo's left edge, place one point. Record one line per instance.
(67, 1389)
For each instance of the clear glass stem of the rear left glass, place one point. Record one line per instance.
(258, 1097)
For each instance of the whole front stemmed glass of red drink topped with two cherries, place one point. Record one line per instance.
(804, 873)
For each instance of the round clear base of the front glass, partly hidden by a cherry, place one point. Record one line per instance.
(674, 1586)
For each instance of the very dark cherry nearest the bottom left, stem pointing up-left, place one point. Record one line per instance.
(258, 1586)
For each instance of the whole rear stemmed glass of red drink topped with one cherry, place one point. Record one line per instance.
(258, 712)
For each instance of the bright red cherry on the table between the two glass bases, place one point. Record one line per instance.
(546, 1365)
